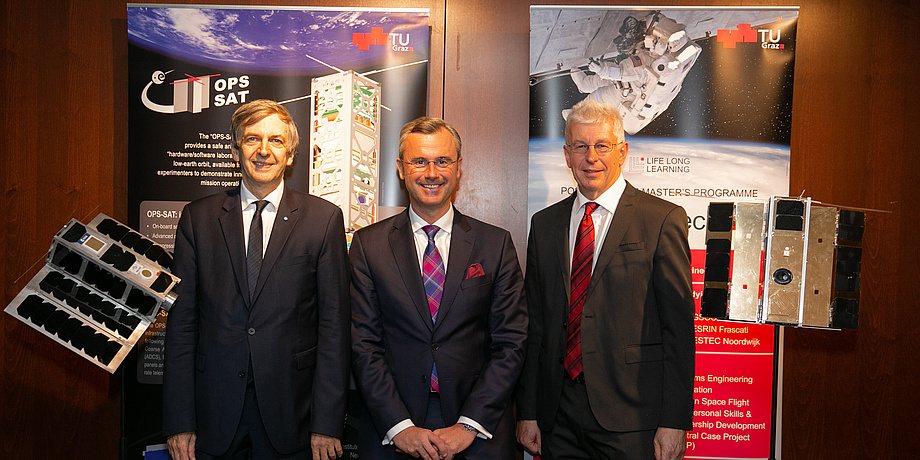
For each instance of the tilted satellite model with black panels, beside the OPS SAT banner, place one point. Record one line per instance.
(101, 287)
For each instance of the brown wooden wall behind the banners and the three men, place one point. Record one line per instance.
(845, 394)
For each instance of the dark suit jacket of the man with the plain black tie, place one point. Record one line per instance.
(296, 330)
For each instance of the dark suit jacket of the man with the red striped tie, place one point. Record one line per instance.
(637, 319)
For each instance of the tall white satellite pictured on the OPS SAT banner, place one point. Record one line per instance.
(345, 140)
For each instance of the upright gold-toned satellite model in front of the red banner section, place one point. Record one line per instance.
(789, 262)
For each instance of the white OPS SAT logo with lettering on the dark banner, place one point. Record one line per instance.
(193, 94)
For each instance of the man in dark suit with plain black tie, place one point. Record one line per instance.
(257, 343)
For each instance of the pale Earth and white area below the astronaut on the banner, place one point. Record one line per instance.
(691, 173)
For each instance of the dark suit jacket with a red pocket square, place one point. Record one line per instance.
(477, 341)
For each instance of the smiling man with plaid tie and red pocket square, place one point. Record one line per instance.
(439, 320)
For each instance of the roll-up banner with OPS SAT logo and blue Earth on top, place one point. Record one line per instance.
(350, 78)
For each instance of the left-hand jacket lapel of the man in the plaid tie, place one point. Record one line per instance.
(402, 243)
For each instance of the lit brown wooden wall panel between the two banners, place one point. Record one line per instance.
(486, 98)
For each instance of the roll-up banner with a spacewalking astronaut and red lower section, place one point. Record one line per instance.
(706, 99)
